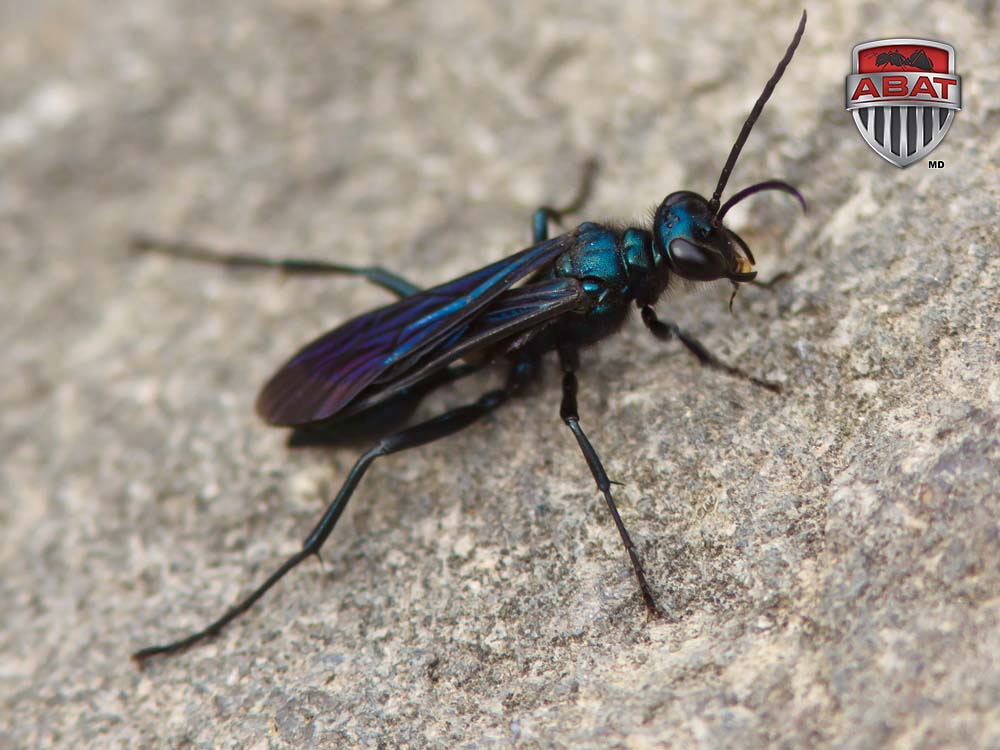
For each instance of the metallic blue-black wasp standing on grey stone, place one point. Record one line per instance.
(368, 375)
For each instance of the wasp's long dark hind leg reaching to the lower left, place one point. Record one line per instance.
(433, 429)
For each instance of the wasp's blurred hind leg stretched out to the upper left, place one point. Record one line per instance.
(202, 253)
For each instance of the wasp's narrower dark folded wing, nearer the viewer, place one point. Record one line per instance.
(497, 329)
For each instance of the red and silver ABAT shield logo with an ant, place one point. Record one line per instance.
(903, 95)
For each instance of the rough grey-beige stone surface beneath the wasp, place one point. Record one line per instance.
(828, 558)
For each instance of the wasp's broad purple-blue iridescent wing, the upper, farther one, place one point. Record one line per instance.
(326, 374)
